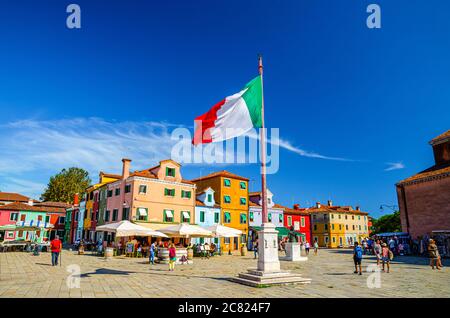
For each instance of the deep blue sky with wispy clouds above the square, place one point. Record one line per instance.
(137, 69)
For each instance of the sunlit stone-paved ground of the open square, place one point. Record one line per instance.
(24, 275)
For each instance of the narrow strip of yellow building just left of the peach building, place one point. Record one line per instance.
(89, 222)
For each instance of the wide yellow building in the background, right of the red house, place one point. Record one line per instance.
(338, 226)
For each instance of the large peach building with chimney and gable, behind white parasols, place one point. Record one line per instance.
(154, 197)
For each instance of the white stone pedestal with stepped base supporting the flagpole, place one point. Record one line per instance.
(268, 270)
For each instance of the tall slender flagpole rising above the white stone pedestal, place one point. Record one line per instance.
(263, 148)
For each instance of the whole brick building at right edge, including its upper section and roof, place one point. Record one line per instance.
(424, 198)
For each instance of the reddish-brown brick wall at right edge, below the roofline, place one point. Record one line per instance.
(428, 206)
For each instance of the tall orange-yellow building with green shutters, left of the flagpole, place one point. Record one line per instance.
(231, 193)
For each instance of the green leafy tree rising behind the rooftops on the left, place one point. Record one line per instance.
(63, 186)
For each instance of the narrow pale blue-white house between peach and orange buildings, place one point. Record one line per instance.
(207, 213)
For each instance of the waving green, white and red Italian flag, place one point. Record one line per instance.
(231, 117)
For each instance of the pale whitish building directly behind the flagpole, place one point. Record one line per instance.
(275, 214)
